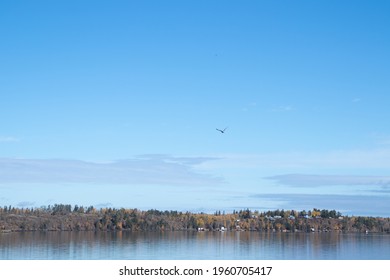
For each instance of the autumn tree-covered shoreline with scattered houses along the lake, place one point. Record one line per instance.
(64, 217)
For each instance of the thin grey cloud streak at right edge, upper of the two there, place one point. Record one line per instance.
(309, 180)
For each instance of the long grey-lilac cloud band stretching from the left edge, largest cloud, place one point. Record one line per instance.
(153, 169)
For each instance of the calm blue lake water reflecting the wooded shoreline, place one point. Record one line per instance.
(193, 245)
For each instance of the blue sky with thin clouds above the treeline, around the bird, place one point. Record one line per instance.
(117, 104)
